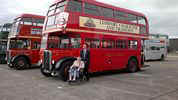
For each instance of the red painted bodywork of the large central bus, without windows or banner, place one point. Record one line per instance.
(99, 58)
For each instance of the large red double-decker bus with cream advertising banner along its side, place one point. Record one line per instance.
(113, 34)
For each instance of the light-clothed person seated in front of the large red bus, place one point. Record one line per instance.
(75, 68)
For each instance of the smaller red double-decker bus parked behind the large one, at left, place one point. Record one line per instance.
(24, 41)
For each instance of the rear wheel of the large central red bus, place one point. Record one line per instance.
(132, 66)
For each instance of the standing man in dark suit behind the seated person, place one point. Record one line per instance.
(85, 57)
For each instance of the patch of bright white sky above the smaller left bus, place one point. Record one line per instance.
(10, 9)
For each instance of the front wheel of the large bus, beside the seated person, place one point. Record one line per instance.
(64, 71)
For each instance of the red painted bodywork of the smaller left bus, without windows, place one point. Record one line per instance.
(25, 33)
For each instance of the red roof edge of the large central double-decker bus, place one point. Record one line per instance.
(108, 6)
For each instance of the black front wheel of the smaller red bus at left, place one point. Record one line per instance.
(21, 63)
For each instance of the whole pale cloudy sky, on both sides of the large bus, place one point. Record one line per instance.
(162, 14)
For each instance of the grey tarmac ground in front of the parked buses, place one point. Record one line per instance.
(157, 82)
